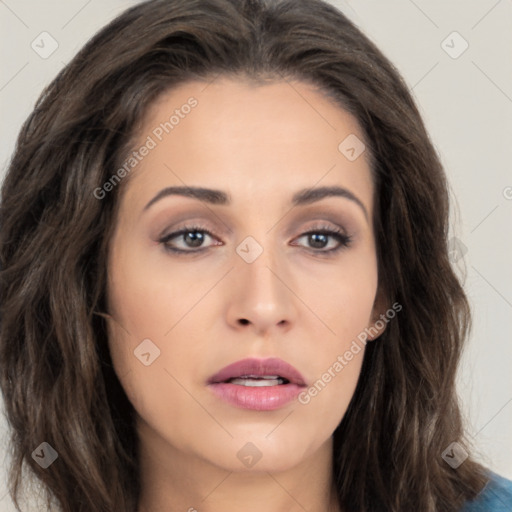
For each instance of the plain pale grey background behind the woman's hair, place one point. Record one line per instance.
(465, 96)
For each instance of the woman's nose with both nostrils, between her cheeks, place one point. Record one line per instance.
(261, 297)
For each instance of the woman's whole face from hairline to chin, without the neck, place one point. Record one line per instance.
(271, 268)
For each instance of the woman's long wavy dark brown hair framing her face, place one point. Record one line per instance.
(56, 373)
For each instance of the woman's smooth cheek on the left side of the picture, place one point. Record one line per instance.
(147, 304)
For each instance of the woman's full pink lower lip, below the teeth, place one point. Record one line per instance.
(265, 398)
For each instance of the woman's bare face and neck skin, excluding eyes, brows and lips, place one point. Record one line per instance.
(260, 144)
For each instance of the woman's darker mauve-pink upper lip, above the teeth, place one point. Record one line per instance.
(259, 367)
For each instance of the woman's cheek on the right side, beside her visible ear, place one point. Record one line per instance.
(345, 301)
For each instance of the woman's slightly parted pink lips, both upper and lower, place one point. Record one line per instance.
(265, 398)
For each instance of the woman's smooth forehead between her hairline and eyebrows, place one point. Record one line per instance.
(256, 138)
